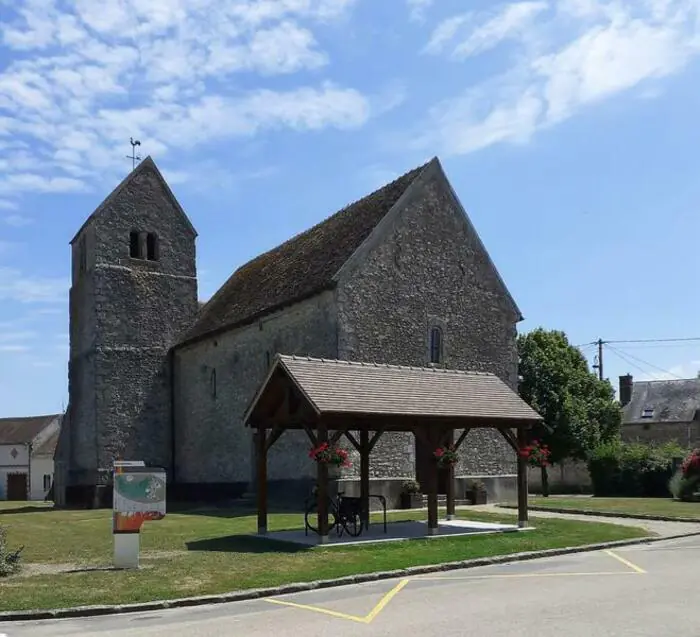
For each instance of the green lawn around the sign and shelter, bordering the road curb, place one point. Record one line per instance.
(204, 553)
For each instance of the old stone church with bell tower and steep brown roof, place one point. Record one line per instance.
(398, 277)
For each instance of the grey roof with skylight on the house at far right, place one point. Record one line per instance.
(670, 400)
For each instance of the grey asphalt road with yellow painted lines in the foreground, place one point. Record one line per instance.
(640, 591)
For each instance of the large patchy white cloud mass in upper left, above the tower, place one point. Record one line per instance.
(84, 77)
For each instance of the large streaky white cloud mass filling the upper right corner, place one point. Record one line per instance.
(611, 47)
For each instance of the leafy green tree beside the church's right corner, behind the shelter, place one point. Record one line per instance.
(579, 410)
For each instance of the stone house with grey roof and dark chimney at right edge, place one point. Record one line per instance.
(661, 411)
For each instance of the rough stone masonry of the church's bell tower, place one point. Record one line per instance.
(131, 311)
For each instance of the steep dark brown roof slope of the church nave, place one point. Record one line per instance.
(299, 268)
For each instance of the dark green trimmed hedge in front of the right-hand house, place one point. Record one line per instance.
(621, 469)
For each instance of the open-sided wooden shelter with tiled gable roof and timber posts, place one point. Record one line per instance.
(329, 399)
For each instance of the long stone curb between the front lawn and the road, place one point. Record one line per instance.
(286, 589)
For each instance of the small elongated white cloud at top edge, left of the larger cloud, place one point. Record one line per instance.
(472, 33)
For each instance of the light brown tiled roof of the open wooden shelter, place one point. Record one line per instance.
(335, 386)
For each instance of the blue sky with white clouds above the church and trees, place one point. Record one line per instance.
(568, 129)
